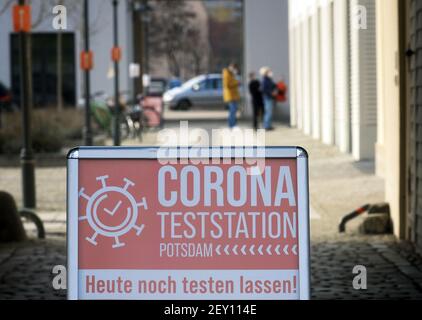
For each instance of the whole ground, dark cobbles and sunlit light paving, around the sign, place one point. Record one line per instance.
(337, 186)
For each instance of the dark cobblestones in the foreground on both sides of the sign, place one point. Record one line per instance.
(394, 270)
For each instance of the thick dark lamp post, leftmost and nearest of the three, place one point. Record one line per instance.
(27, 155)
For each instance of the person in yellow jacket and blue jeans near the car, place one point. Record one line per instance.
(231, 94)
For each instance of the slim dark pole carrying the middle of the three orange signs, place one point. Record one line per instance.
(87, 130)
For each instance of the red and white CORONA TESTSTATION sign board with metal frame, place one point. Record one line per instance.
(188, 223)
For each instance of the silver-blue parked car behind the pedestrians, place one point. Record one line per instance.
(204, 91)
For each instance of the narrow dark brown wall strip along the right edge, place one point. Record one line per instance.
(410, 112)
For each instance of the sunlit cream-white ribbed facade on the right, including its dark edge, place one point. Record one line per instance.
(356, 84)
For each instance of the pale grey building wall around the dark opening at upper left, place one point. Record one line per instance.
(44, 54)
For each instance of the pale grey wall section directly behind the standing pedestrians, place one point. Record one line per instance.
(267, 42)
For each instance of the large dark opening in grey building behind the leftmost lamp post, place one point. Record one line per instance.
(44, 68)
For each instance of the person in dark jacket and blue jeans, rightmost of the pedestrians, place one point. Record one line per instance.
(269, 93)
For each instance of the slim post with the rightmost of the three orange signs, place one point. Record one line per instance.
(116, 53)
